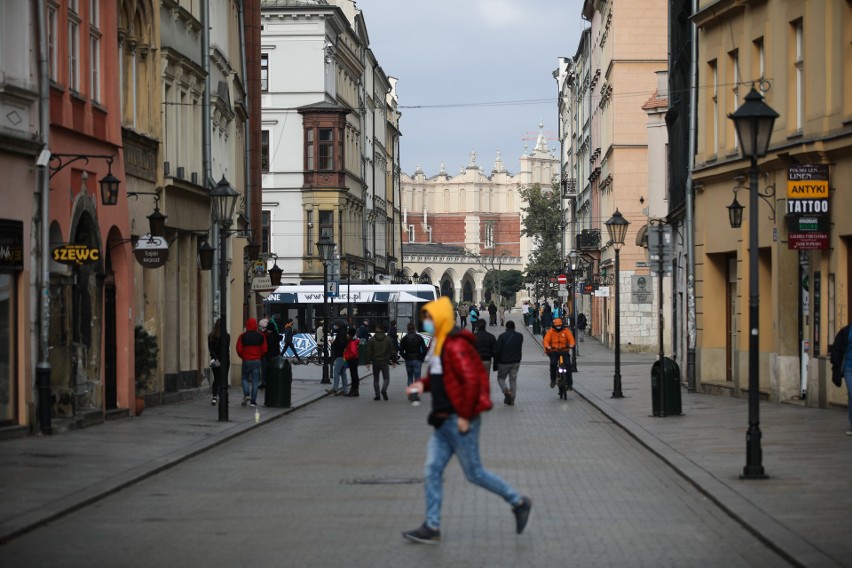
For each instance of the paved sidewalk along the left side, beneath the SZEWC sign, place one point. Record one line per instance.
(45, 477)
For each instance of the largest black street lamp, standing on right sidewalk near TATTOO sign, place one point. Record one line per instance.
(754, 121)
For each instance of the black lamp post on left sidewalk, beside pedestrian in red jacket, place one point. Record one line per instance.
(224, 198)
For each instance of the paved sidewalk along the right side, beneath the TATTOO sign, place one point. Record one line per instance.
(802, 510)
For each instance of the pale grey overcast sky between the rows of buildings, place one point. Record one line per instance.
(460, 55)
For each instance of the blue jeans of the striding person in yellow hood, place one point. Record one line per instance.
(445, 442)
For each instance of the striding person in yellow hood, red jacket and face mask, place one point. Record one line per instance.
(460, 393)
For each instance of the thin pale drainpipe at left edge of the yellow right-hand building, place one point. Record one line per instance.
(690, 222)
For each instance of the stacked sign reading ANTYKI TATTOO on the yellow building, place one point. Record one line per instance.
(807, 207)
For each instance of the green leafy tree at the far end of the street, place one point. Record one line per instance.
(543, 224)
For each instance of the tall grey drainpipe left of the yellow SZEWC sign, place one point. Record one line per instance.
(43, 366)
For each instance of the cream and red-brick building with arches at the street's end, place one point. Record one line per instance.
(456, 228)
